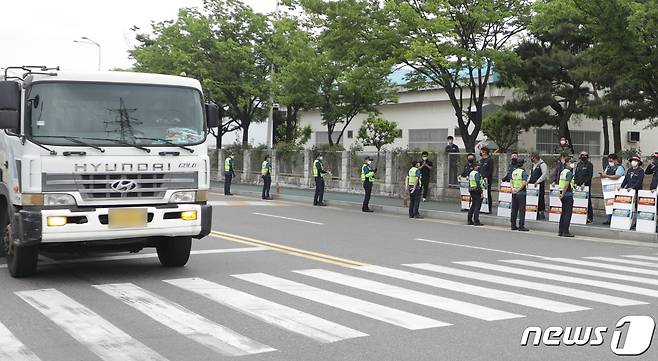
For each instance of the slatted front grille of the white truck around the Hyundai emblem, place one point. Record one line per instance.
(99, 186)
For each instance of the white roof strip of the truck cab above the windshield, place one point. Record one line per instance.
(118, 77)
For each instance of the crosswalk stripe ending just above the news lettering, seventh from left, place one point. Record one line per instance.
(499, 295)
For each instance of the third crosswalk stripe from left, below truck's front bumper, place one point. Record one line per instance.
(178, 318)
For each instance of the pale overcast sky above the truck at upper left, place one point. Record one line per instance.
(42, 32)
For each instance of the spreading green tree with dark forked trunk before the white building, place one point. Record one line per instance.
(452, 44)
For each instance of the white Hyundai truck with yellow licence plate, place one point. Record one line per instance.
(113, 161)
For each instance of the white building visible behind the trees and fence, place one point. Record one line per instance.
(426, 118)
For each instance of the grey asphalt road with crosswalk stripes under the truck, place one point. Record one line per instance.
(285, 281)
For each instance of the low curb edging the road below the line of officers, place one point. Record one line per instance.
(544, 226)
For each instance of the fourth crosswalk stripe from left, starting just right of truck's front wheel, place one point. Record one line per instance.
(272, 313)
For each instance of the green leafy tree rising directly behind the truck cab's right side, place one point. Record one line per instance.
(222, 45)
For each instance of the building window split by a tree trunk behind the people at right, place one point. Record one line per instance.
(548, 141)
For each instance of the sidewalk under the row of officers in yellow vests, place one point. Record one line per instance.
(433, 209)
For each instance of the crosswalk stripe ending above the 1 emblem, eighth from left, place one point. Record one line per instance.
(544, 287)
